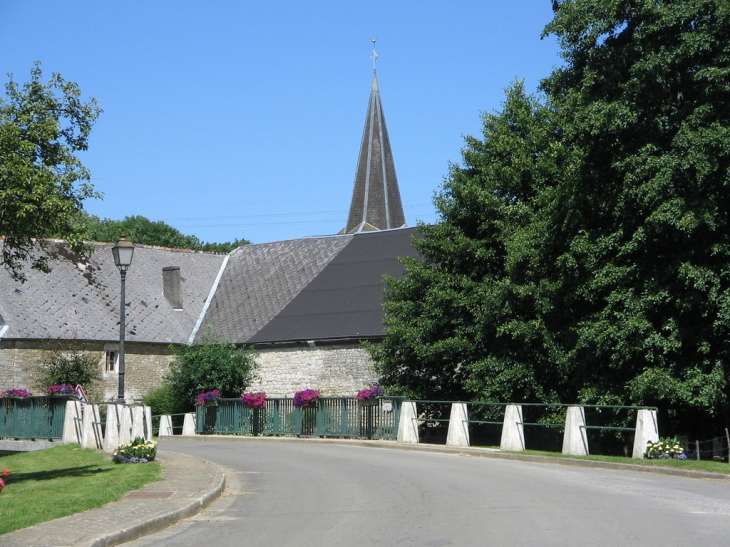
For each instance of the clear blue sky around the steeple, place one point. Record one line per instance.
(239, 119)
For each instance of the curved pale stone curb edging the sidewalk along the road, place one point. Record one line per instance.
(160, 522)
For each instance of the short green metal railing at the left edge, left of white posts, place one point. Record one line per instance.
(32, 417)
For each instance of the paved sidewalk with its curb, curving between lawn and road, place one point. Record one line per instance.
(189, 485)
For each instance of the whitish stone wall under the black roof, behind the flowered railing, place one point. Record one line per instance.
(333, 370)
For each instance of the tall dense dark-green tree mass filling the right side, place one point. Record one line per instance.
(583, 253)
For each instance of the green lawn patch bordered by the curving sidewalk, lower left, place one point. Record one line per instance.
(49, 484)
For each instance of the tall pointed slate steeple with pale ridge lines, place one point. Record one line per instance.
(376, 203)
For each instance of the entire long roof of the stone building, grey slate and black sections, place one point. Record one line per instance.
(323, 288)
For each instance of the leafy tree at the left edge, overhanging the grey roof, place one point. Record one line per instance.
(42, 182)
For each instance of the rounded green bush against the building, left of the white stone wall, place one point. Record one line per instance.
(210, 365)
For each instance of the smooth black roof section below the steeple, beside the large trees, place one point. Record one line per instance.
(345, 300)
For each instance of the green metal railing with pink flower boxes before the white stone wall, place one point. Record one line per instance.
(330, 417)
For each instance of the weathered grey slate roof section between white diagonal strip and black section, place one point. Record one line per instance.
(260, 280)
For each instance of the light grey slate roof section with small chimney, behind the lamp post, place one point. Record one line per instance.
(79, 299)
